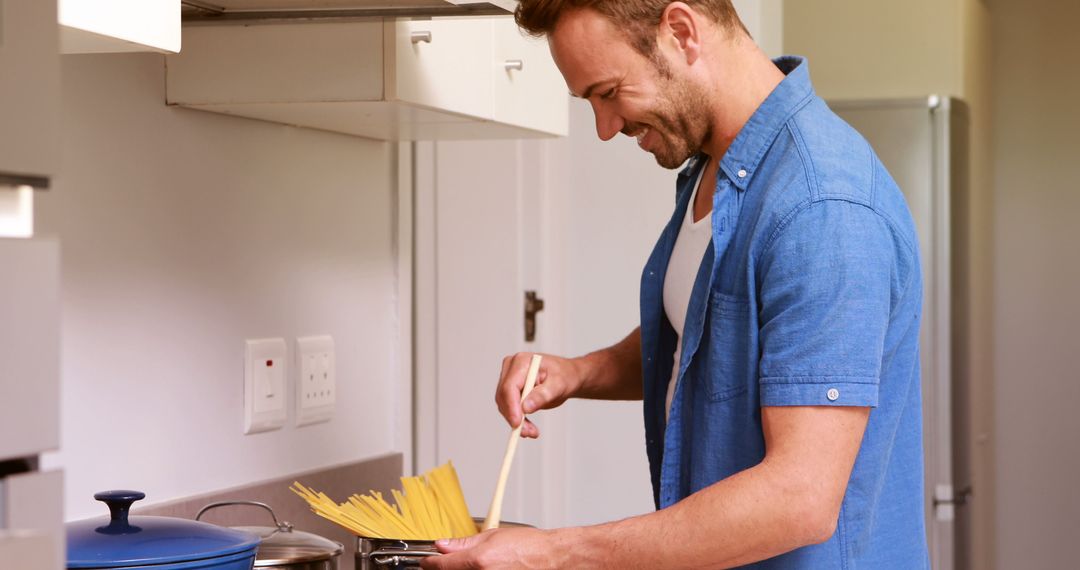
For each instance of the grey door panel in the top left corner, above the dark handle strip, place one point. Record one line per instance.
(30, 96)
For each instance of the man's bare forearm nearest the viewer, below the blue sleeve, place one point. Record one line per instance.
(791, 499)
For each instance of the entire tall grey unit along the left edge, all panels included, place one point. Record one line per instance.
(32, 519)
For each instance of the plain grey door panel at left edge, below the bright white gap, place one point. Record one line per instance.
(30, 348)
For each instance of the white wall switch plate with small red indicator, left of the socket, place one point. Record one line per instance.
(265, 395)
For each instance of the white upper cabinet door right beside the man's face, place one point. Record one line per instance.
(530, 91)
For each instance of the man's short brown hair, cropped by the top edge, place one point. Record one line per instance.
(638, 19)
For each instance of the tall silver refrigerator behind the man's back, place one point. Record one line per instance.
(924, 144)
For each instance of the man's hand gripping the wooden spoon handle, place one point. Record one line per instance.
(559, 379)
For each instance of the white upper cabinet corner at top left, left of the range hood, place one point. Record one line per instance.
(110, 26)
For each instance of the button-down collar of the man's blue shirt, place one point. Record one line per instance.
(746, 154)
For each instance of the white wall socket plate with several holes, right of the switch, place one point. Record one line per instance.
(316, 390)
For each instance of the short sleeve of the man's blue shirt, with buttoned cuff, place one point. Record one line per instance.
(827, 283)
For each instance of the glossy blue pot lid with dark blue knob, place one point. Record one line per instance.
(121, 540)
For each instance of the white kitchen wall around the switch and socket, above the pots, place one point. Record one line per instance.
(185, 234)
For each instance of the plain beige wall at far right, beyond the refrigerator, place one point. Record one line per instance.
(1038, 277)
